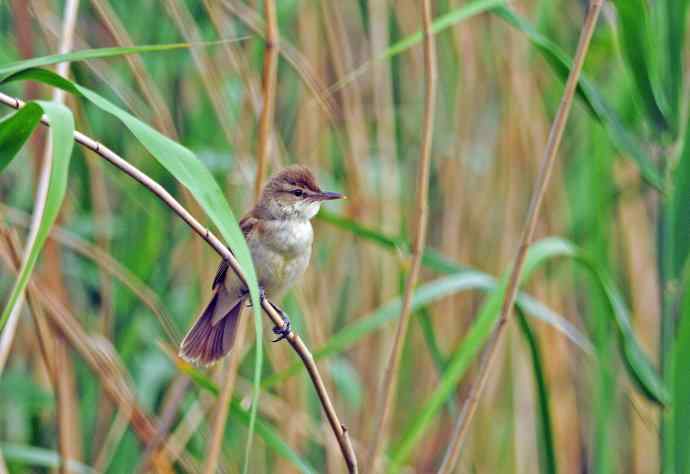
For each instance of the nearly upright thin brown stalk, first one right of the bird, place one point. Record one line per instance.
(387, 397)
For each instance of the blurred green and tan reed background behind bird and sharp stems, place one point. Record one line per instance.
(128, 277)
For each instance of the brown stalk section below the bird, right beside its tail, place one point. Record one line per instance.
(223, 403)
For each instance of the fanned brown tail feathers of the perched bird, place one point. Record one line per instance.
(210, 339)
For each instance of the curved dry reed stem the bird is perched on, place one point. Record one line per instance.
(293, 339)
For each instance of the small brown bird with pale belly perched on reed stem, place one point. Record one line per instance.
(279, 235)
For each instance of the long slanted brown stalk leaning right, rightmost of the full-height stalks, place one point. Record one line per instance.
(555, 135)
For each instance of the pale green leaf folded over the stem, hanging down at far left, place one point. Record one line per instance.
(61, 133)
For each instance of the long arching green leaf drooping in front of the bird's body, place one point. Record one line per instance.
(192, 173)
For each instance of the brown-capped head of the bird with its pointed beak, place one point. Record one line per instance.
(293, 193)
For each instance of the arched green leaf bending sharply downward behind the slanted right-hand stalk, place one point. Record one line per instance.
(636, 363)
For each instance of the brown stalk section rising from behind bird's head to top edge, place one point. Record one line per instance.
(268, 86)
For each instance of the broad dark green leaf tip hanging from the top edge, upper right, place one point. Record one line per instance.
(634, 22)
